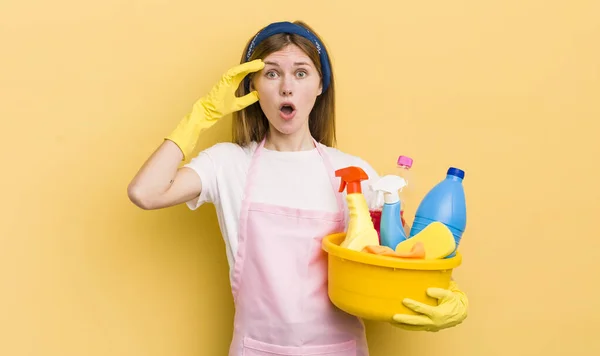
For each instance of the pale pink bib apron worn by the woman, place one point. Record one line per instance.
(279, 281)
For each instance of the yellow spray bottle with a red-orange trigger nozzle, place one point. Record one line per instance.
(360, 232)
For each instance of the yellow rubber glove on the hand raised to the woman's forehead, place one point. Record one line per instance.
(220, 101)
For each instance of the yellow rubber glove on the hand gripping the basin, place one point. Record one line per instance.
(450, 311)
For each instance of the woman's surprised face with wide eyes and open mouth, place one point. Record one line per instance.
(288, 87)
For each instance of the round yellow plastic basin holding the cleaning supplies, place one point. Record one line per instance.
(372, 287)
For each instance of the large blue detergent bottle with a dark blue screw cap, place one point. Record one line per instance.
(445, 203)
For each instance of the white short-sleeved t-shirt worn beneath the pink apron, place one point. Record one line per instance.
(292, 179)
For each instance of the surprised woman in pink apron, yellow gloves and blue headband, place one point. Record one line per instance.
(276, 196)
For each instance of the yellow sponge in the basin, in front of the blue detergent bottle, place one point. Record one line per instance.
(436, 238)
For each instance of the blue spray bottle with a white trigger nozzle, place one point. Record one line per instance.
(392, 231)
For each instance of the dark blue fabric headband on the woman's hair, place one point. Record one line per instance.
(288, 27)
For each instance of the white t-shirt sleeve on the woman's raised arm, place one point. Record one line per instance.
(204, 165)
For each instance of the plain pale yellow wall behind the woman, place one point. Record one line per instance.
(507, 90)
